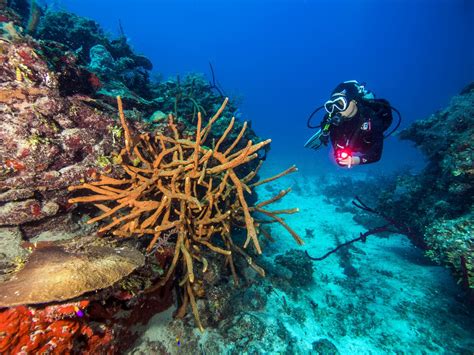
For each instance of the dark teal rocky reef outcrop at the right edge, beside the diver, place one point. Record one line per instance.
(438, 202)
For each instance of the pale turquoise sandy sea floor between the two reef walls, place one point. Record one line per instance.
(382, 296)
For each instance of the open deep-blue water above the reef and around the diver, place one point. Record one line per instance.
(284, 57)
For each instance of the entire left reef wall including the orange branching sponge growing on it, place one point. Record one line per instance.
(176, 177)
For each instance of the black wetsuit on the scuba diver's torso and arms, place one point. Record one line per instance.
(363, 133)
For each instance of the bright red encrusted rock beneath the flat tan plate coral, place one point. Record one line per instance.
(84, 325)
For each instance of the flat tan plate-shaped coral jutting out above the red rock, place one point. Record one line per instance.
(62, 272)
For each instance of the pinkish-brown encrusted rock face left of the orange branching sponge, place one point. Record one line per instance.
(46, 143)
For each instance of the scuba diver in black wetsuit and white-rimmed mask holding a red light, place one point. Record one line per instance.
(355, 122)
